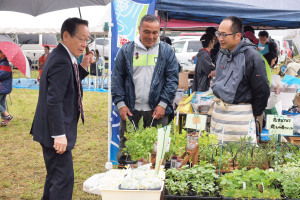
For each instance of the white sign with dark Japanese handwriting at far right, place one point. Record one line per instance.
(280, 124)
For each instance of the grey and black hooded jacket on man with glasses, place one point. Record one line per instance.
(241, 77)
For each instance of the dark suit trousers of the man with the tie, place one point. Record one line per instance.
(60, 175)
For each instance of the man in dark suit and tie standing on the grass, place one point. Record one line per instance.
(59, 107)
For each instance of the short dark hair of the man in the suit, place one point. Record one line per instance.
(70, 25)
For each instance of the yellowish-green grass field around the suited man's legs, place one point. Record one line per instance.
(22, 169)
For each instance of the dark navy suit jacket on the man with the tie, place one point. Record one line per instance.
(57, 110)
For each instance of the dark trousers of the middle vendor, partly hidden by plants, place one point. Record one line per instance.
(137, 115)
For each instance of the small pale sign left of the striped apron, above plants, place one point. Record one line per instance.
(195, 121)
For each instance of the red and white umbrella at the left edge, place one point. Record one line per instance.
(15, 55)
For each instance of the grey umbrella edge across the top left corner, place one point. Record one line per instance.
(38, 7)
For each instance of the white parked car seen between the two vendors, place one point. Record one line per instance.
(186, 49)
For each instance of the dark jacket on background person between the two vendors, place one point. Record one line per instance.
(203, 69)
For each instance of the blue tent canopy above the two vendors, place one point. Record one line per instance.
(263, 14)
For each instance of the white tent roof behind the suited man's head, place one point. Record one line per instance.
(14, 22)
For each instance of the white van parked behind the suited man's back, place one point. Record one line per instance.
(33, 44)
